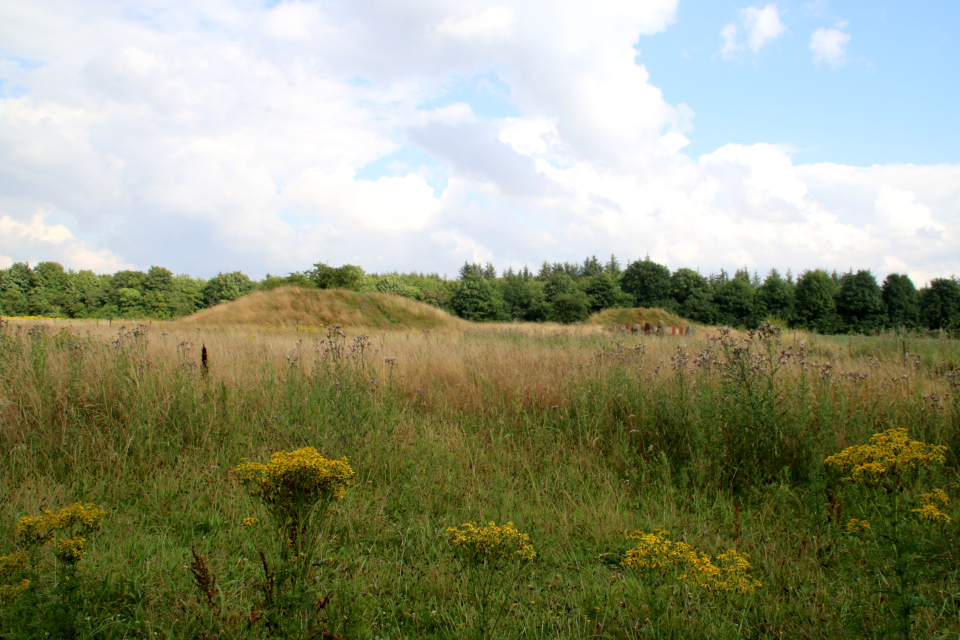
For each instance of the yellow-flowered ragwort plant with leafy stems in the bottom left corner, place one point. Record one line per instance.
(50, 593)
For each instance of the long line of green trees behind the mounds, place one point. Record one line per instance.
(817, 300)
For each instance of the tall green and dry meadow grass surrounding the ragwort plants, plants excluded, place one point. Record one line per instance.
(577, 434)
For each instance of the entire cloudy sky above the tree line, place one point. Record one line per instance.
(416, 135)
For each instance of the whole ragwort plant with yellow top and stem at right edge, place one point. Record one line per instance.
(898, 523)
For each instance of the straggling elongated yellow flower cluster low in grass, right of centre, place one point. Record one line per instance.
(656, 551)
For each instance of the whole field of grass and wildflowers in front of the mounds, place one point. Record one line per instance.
(580, 436)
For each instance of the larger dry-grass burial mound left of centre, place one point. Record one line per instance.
(290, 306)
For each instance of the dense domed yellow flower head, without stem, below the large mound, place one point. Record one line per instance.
(296, 477)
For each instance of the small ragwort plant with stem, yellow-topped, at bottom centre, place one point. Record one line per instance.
(494, 558)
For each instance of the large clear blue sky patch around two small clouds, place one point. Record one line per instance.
(893, 100)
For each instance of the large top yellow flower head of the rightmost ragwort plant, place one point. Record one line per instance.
(887, 453)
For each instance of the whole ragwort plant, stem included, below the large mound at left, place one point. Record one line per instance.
(296, 489)
